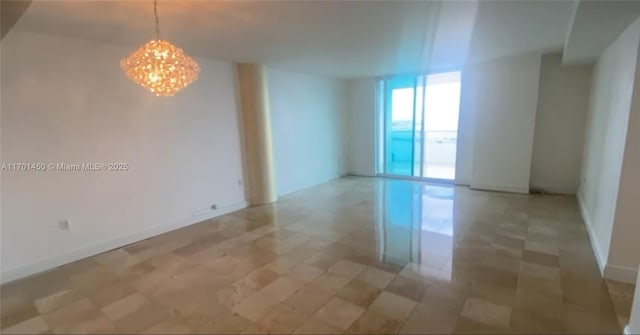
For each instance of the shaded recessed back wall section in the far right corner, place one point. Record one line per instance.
(563, 104)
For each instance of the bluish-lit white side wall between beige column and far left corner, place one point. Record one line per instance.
(308, 116)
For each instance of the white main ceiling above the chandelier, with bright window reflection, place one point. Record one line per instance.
(334, 38)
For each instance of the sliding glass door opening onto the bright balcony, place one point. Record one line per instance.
(419, 125)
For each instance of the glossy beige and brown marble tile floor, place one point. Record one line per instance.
(356, 255)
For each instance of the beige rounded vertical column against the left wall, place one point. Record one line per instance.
(258, 147)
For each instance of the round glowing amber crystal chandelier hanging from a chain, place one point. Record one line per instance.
(159, 66)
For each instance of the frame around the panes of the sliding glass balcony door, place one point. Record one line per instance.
(381, 119)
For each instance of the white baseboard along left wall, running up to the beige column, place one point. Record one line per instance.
(100, 247)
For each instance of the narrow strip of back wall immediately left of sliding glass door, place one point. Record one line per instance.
(361, 104)
